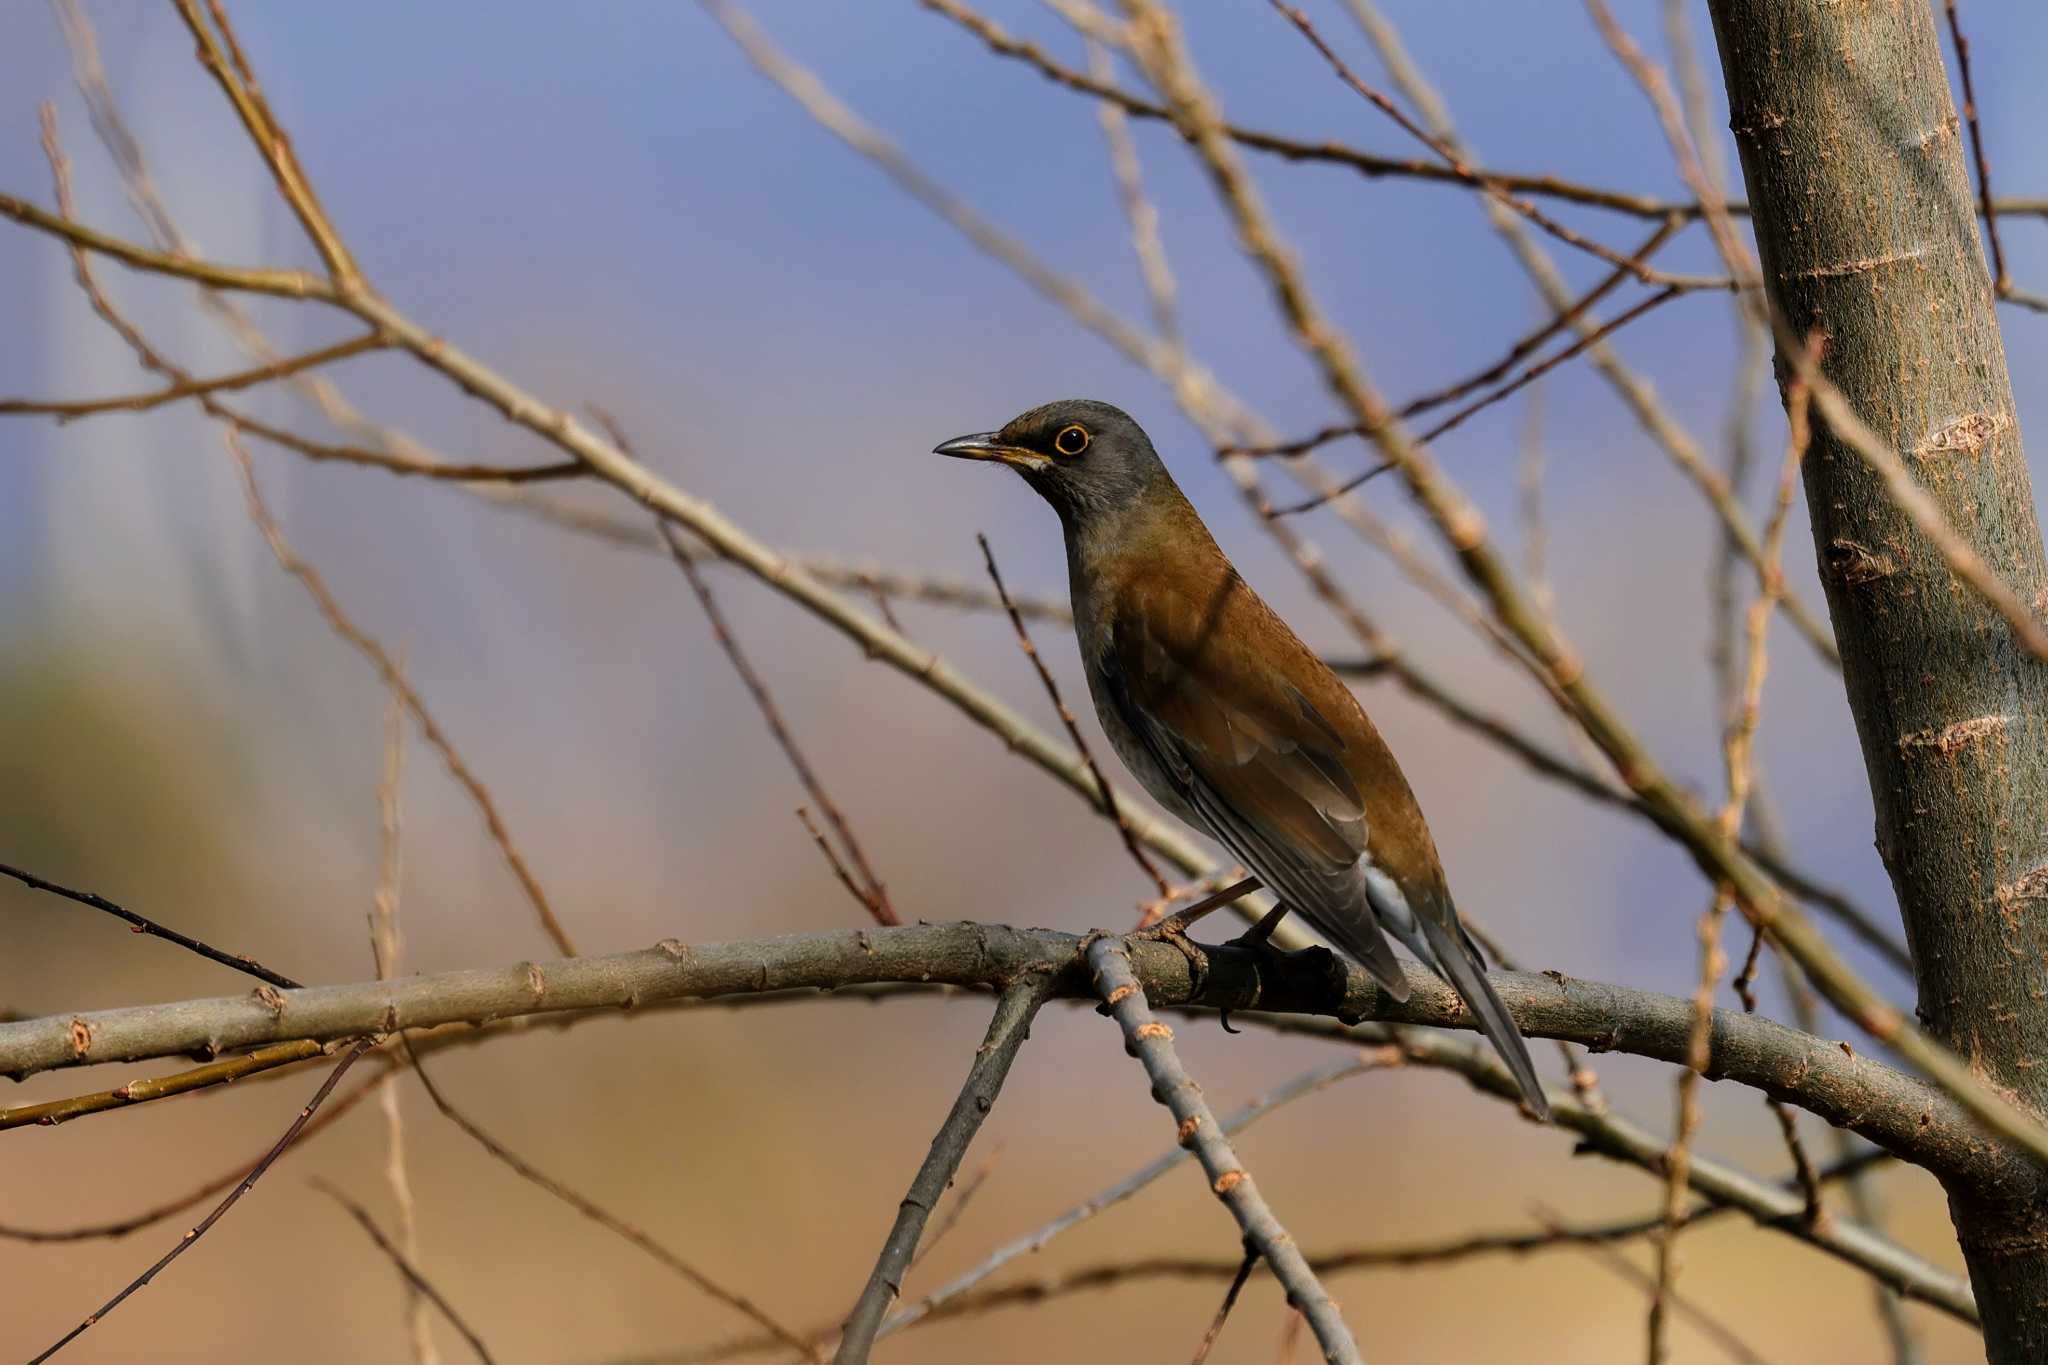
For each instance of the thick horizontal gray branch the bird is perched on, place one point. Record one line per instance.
(1906, 1116)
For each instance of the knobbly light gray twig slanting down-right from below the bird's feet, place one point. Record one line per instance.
(1228, 1178)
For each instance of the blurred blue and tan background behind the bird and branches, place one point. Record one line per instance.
(613, 208)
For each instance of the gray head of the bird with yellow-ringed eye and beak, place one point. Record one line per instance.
(1086, 459)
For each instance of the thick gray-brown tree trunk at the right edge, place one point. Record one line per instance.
(1869, 236)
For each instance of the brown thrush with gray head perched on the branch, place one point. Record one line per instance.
(1230, 721)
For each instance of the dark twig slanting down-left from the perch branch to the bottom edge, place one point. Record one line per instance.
(1009, 1030)
